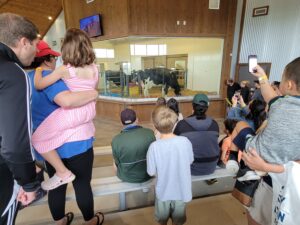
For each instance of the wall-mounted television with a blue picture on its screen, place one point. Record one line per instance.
(92, 25)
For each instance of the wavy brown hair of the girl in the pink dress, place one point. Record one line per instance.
(77, 49)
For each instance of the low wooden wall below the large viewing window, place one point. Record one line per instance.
(112, 109)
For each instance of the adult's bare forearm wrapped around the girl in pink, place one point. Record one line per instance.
(68, 99)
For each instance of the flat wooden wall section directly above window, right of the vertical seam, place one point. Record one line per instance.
(160, 17)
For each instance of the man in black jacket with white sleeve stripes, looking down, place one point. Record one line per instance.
(18, 39)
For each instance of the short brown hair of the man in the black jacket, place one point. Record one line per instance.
(14, 27)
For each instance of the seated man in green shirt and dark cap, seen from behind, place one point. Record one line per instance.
(130, 148)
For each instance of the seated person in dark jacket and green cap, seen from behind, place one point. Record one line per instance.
(203, 133)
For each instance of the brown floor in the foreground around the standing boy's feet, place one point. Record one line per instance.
(215, 210)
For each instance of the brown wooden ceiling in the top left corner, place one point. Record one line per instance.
(37, 11)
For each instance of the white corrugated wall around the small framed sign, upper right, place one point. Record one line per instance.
(273, 38)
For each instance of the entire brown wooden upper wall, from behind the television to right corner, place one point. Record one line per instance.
(153, 17)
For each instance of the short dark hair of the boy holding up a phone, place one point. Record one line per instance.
(292, 72)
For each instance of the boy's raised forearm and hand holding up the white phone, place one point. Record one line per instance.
(266, 90)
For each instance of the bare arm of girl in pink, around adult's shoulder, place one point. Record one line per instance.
(43, 82)
